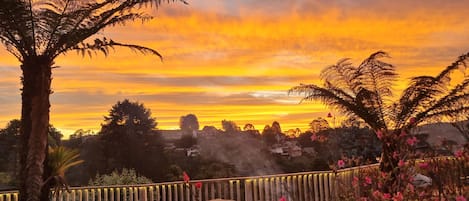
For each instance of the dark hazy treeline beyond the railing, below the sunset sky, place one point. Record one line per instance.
(129, 140)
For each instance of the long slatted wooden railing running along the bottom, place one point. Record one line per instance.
(304, 186)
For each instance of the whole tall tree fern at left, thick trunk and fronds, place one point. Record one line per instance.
(36, 33)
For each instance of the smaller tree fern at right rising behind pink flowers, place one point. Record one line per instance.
(365, 91)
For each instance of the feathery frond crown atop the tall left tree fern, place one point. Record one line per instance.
(51, 28)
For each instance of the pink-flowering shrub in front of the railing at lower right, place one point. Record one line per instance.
(415, 177)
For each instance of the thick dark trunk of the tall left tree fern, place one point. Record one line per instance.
(36, 82)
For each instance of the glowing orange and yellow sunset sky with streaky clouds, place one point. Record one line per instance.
(235, 60)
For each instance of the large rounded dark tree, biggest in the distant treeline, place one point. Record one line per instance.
(129, 139)
